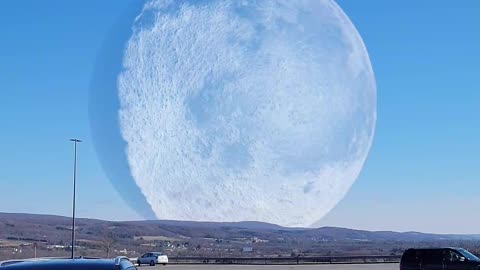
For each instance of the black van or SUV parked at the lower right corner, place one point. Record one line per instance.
(439, 259)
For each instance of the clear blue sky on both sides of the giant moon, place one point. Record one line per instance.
(423, 171)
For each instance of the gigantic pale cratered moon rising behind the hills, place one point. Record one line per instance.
(241, 110)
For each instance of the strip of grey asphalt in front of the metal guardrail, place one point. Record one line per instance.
(392, 266)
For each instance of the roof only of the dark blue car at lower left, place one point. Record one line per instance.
(71, 264)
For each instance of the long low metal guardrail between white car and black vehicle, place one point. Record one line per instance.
(287, 260)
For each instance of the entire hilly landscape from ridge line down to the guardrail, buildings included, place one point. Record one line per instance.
(52, 234)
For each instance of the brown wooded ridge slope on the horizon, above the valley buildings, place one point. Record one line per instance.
(35, 225)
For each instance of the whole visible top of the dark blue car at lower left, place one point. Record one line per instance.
(119, 263)
